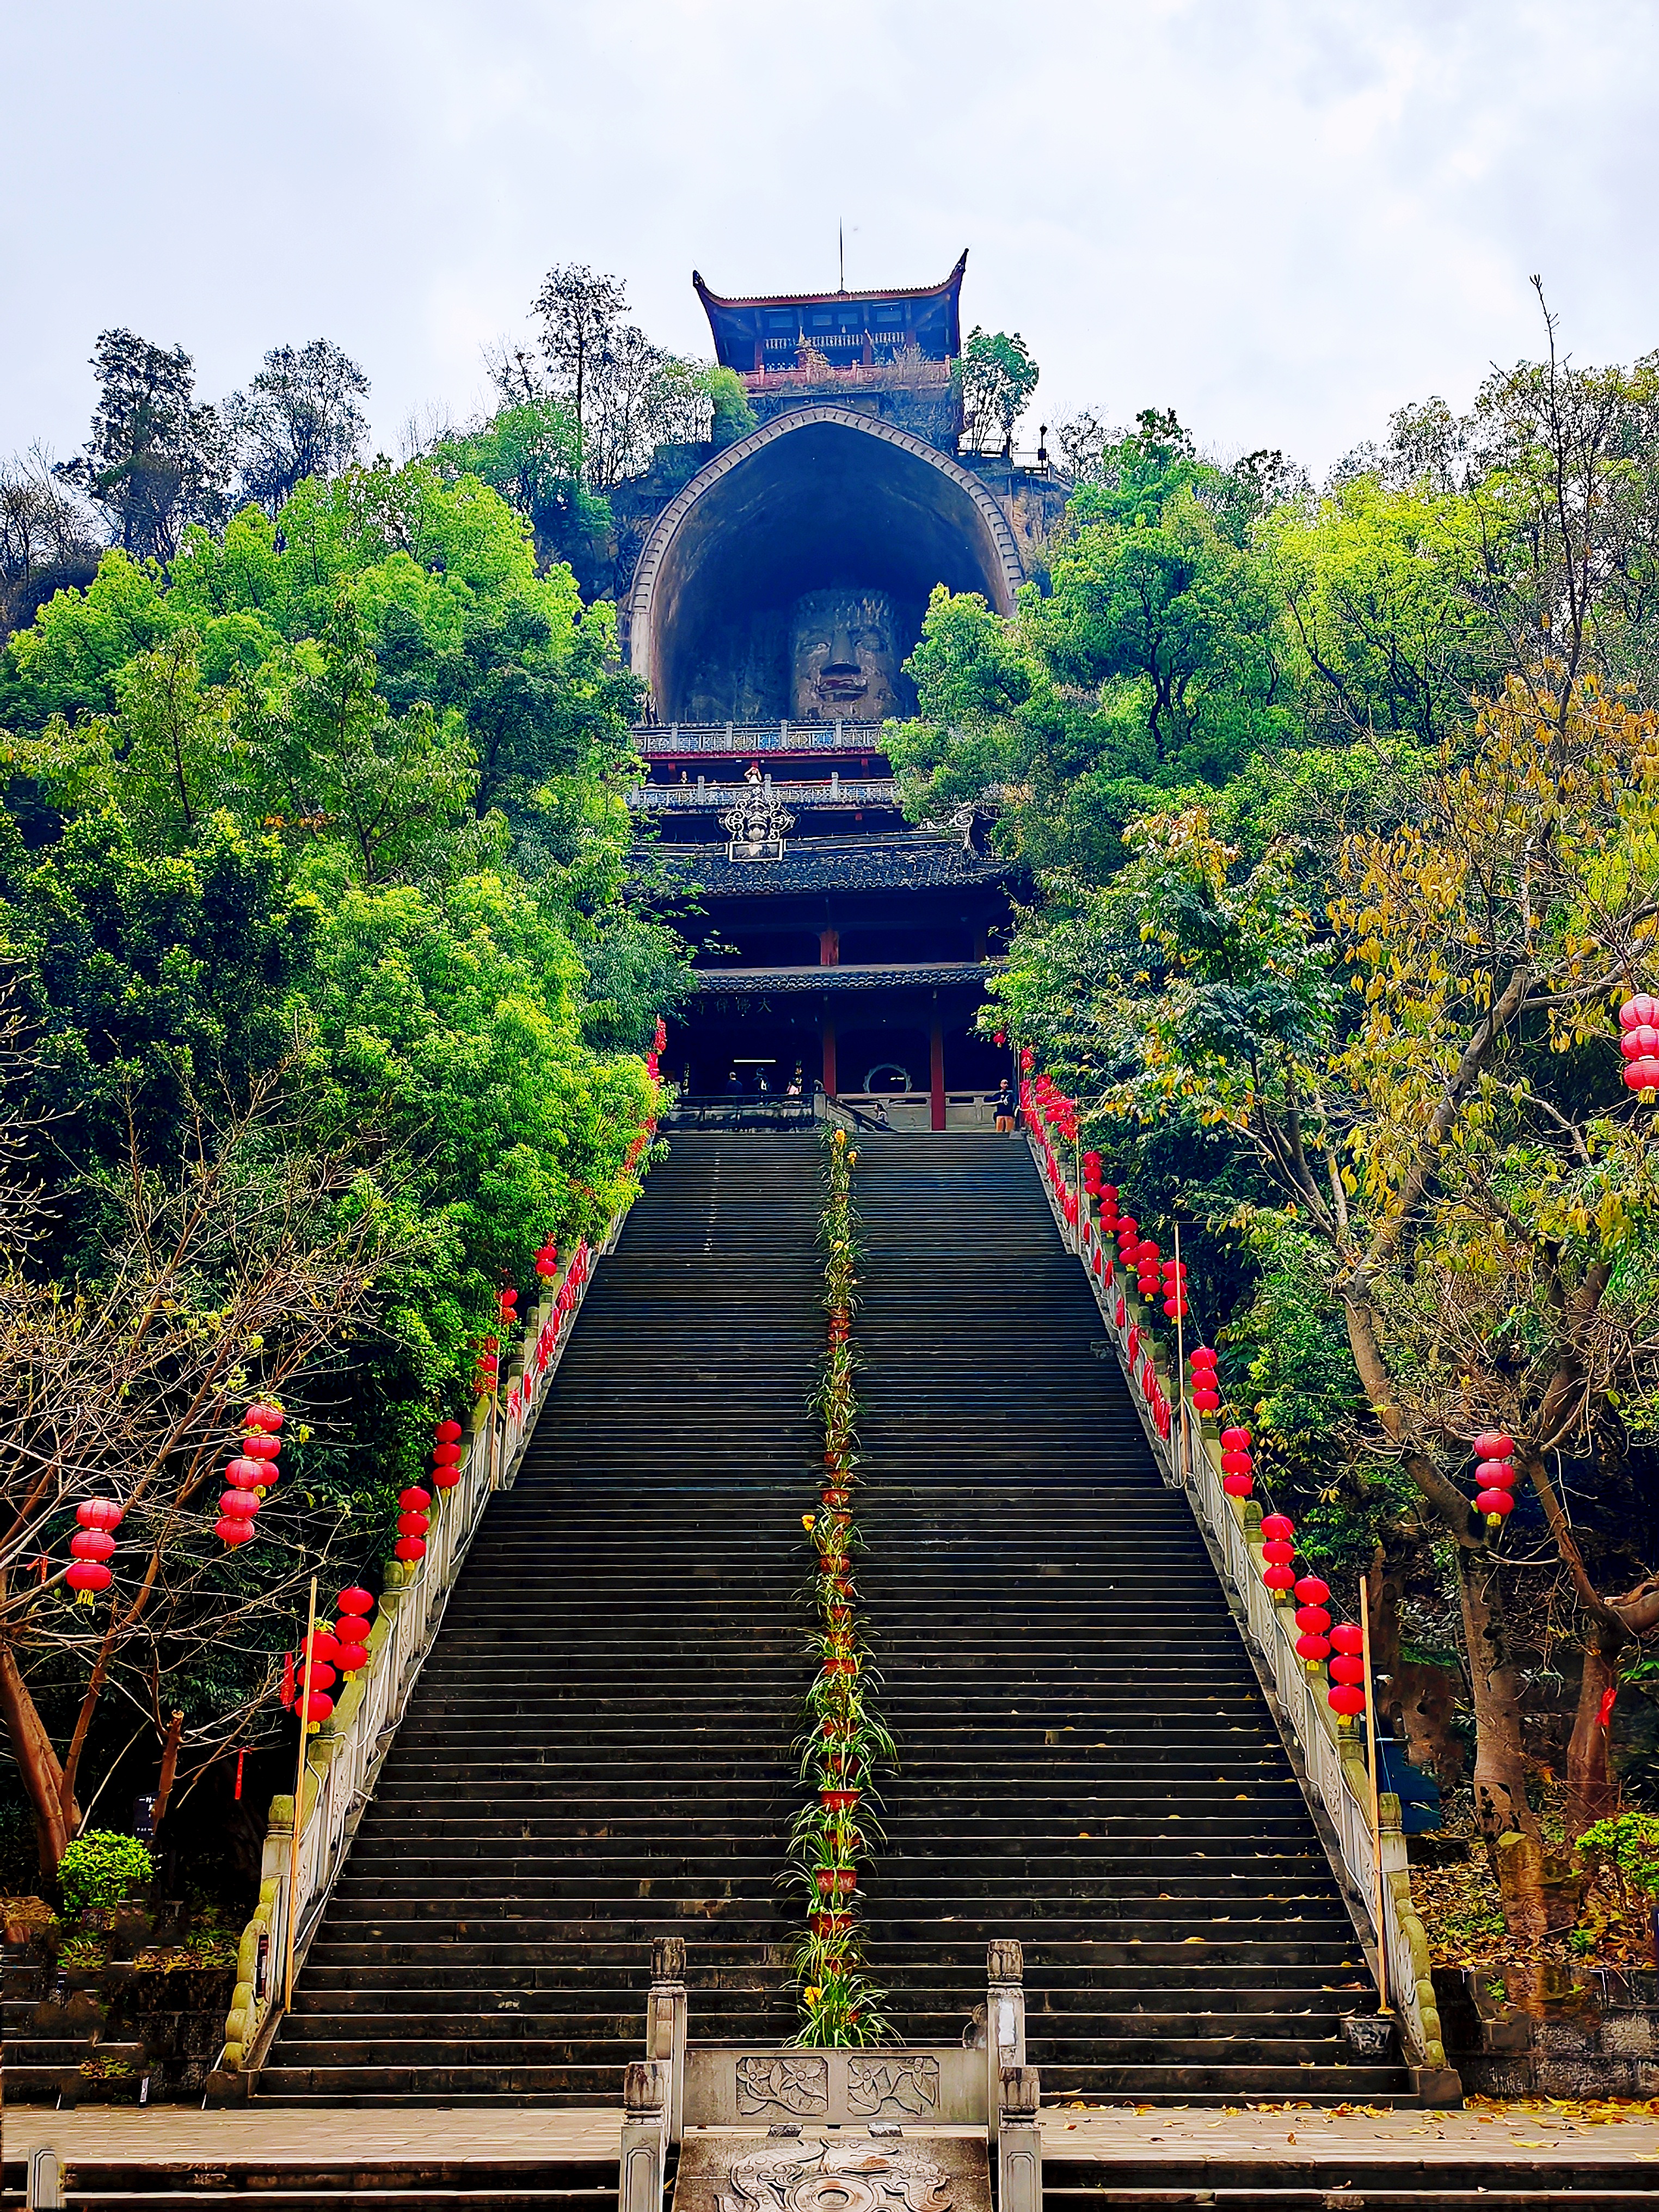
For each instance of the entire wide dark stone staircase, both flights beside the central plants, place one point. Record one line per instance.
(601, 1744)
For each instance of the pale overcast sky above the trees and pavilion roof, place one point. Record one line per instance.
(1282, 218)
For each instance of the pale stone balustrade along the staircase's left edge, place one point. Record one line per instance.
(348, 1753)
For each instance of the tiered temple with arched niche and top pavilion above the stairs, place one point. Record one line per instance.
(773, 605)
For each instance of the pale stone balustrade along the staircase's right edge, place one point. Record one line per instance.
(1335, 1768)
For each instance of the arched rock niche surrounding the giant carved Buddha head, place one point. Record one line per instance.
(820, 499)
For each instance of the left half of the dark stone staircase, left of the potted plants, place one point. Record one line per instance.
(598, 1749)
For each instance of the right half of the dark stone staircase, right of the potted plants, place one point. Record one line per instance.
(1087, 1760)
